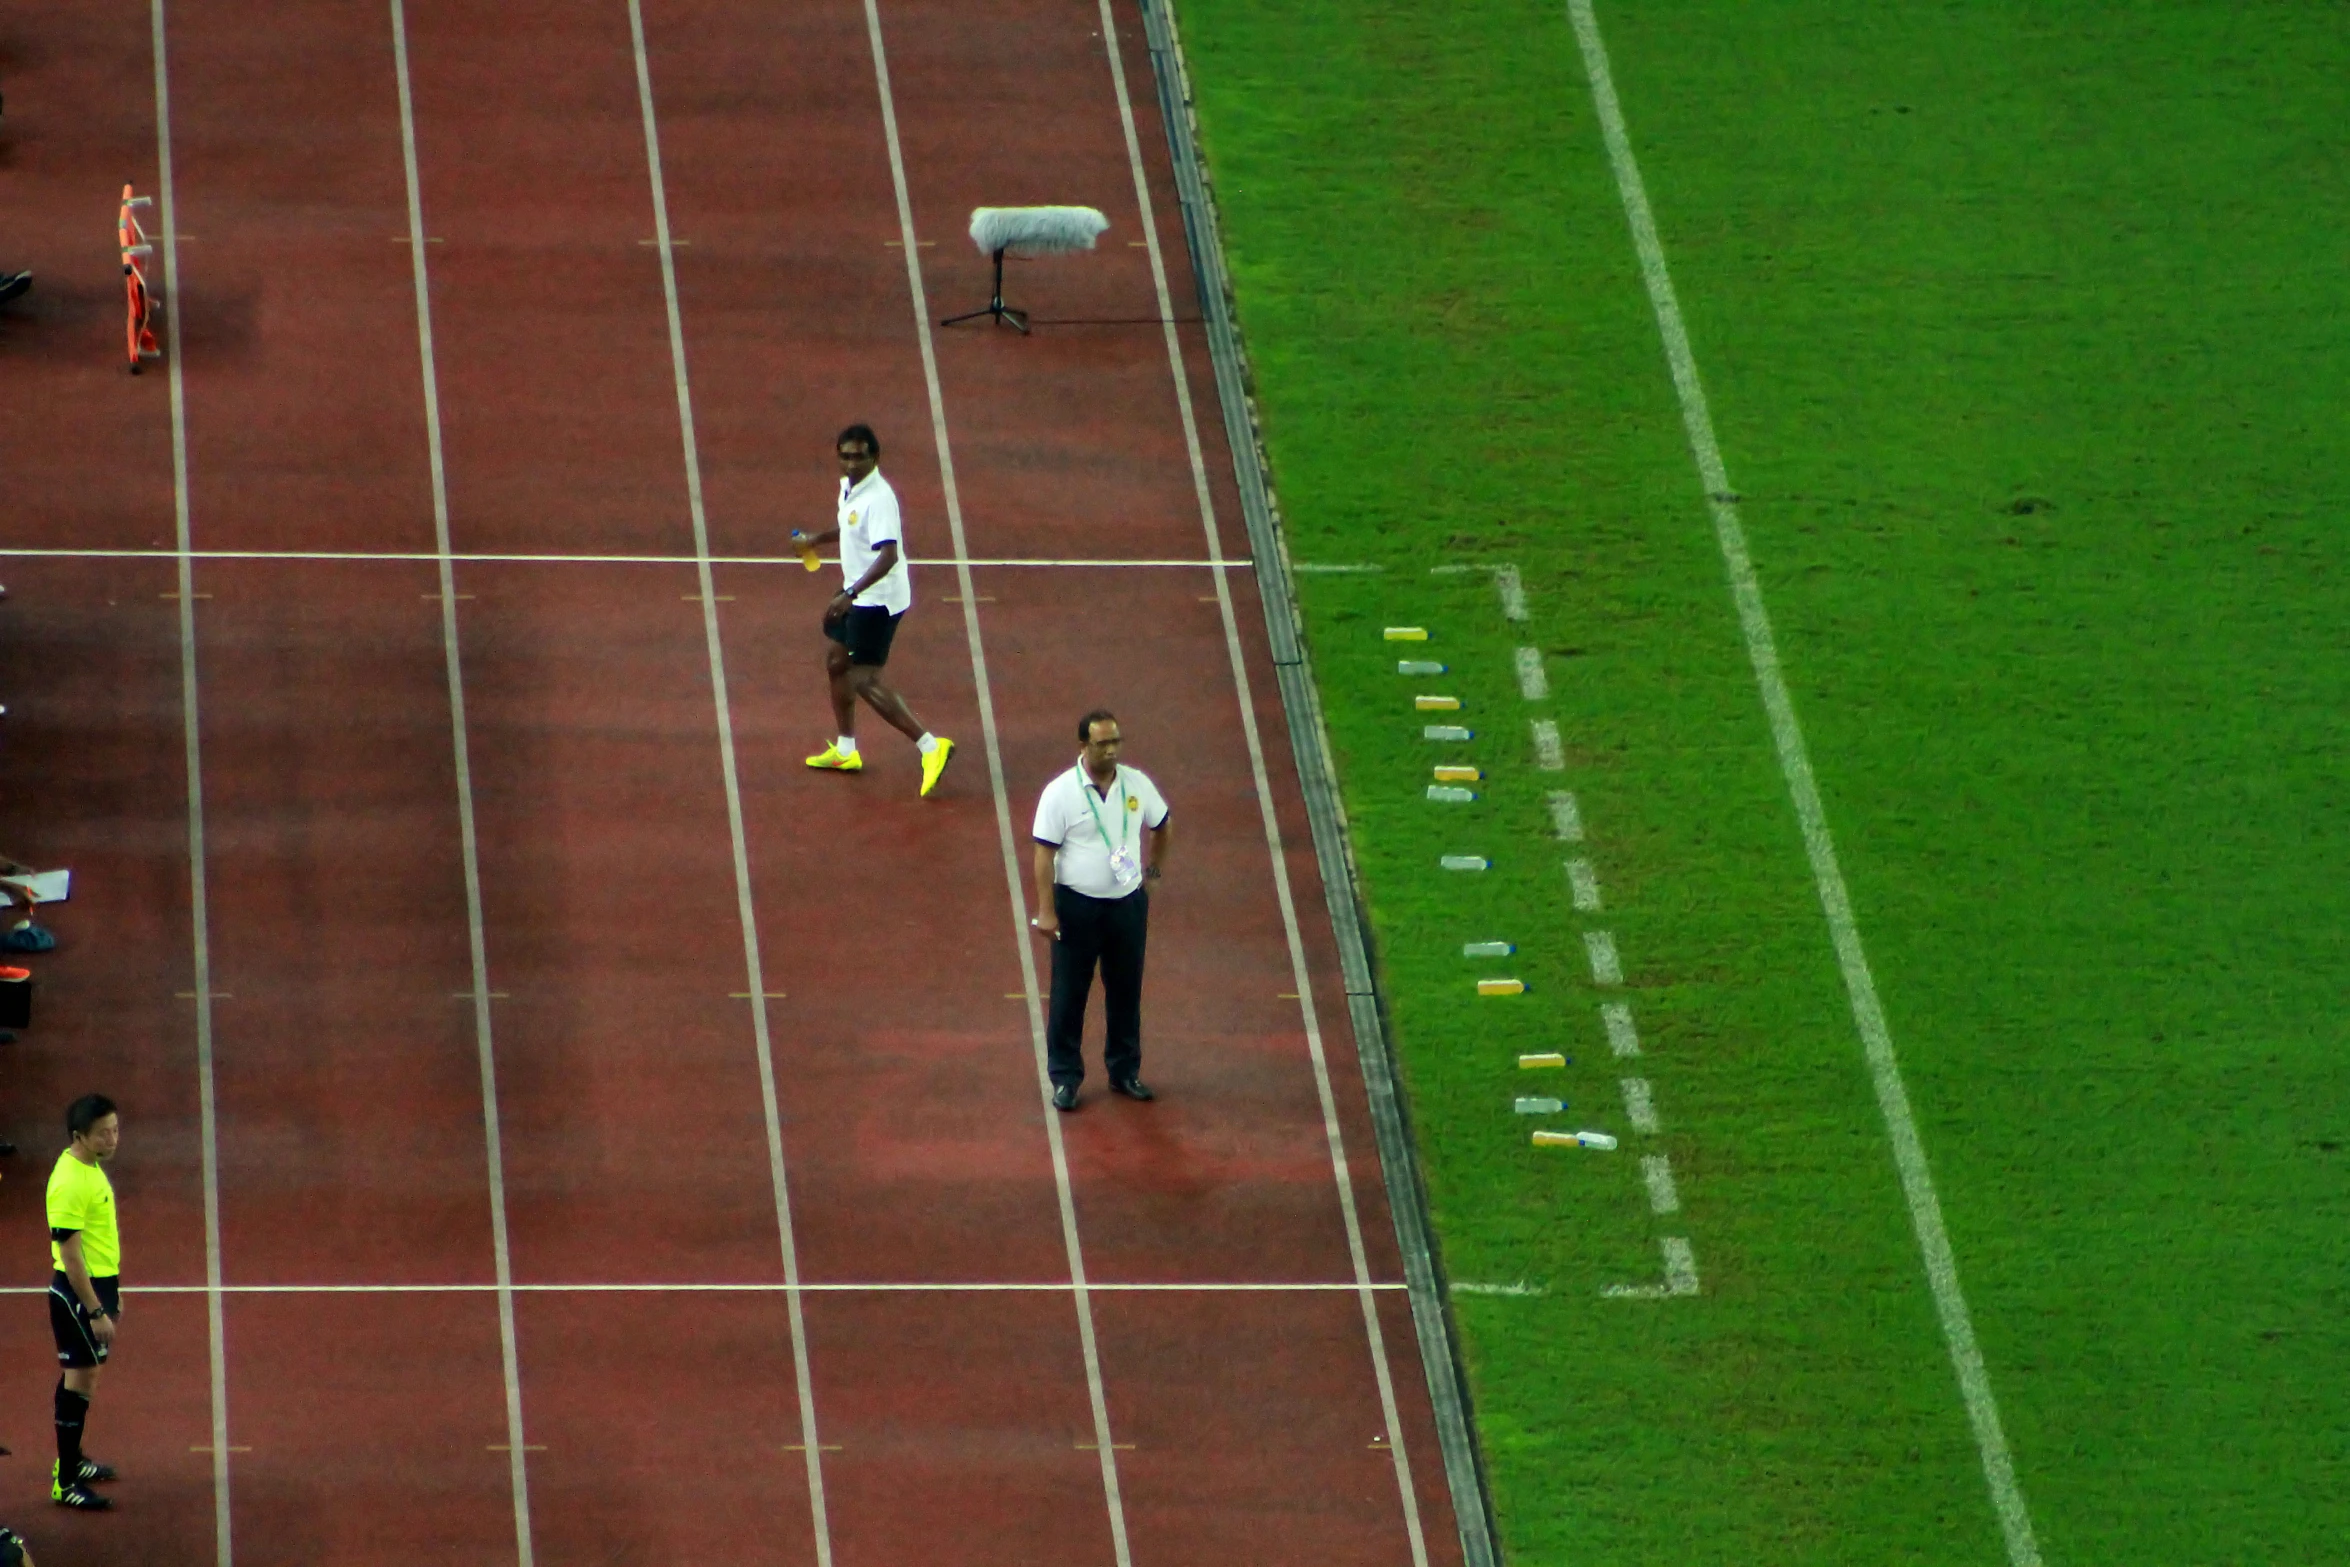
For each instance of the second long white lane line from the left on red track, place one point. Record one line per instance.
(478, 946)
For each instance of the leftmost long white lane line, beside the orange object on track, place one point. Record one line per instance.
(192, 722)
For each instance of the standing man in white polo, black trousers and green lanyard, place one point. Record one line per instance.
(1094, 906)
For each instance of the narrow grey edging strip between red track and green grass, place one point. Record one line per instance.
(1317, 776)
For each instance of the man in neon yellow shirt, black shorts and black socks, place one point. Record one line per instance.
(86, 1293)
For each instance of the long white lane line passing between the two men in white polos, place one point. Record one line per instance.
(1113, 1495)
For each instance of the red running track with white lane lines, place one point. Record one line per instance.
(558, 1213)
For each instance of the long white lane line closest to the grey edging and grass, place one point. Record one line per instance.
(1376, 1338)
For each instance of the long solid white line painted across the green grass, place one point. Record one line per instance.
(1813, 816)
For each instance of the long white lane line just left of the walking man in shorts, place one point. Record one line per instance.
(753, 969)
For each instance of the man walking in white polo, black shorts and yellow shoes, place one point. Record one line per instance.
(864, 614)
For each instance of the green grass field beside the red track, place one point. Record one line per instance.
(2027, 335)
